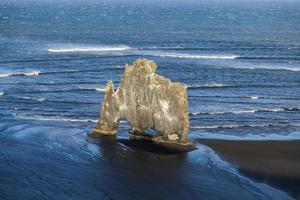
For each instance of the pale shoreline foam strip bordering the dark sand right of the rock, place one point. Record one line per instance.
(250, 137)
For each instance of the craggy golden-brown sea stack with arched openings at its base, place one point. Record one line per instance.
(146, 100)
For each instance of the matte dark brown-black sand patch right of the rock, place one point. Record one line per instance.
(275, 162)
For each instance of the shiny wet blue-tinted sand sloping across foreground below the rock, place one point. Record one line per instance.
(43, 162)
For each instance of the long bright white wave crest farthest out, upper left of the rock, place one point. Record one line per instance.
(89, 49)
